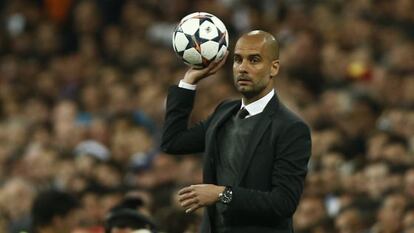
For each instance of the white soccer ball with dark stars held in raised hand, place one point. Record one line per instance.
(199, 39)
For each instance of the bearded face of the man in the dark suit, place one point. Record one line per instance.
(253, 67)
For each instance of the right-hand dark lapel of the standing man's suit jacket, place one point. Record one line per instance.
(257, 135)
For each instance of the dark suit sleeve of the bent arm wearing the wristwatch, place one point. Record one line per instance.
(289, 170)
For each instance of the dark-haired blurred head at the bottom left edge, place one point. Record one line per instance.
(55, 212)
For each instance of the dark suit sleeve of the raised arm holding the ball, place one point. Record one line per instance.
(177, 138)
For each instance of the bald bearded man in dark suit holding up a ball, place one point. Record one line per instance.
(255, 161)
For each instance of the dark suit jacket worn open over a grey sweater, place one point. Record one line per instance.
(272, 175)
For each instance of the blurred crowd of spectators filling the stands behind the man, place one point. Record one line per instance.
(83, 85)
